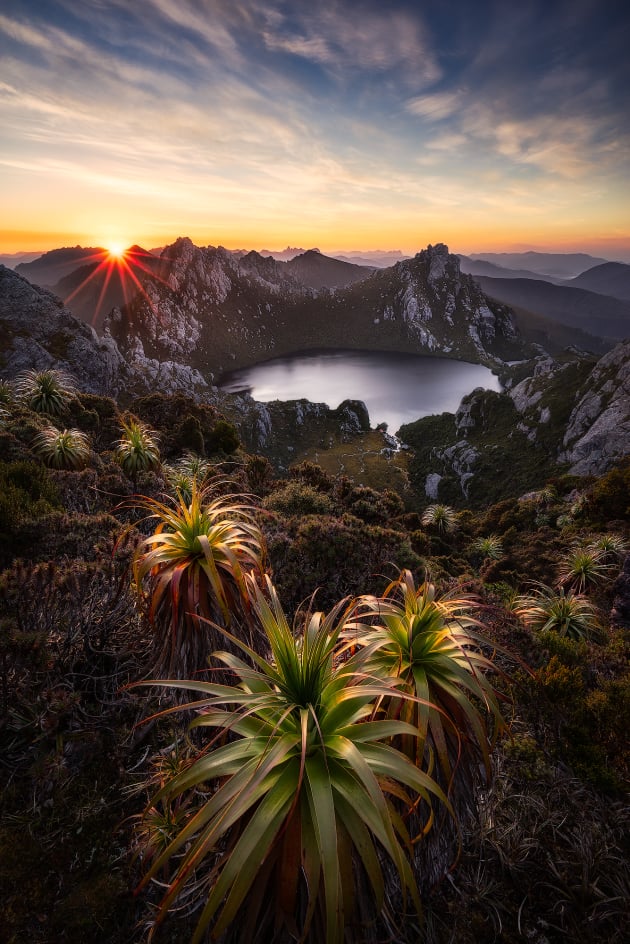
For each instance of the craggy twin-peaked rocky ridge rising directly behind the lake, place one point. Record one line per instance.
(216, 312)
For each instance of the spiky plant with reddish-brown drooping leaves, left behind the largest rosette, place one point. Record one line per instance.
(192, 566)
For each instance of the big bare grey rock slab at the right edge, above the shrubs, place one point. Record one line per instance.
(598, 431)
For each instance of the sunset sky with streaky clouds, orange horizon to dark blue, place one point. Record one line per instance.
(345, 125)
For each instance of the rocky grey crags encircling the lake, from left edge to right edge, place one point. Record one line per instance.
(573, 410)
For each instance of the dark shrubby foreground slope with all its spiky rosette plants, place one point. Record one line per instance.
(363, 732)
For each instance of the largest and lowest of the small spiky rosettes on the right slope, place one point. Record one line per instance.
(568, 613)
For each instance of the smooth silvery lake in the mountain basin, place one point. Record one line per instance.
(396, 388)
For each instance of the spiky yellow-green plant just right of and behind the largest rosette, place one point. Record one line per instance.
(432, 646)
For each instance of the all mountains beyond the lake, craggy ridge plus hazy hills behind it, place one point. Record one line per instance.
(218, 309)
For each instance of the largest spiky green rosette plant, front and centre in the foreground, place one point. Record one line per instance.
(300, 813)
